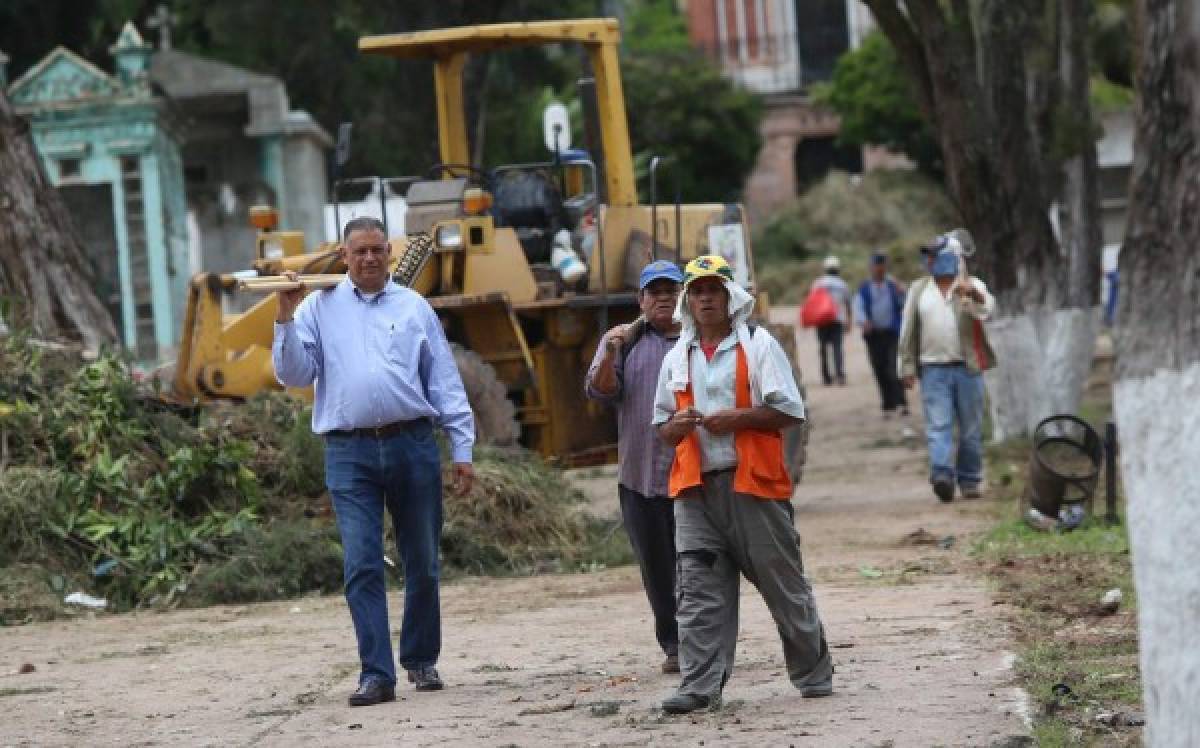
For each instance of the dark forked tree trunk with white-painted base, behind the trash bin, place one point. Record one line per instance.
(977, 85)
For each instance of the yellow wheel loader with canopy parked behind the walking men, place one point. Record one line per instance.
(524, 338)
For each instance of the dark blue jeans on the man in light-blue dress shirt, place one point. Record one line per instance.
(403, 472)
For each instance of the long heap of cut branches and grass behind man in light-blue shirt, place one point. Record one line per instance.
(107, 490)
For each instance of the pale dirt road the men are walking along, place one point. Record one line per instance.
(572, 661)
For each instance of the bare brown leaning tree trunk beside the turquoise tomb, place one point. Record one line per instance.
(44, 271)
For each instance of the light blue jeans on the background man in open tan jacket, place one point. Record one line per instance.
(952, 394)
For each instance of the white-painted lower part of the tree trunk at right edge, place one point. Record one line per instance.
(1160, 457)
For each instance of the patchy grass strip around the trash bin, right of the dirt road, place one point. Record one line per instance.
(1076, 657)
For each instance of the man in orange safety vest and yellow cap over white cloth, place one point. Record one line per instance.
(725, 393)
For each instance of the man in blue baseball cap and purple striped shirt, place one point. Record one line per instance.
(626, 373)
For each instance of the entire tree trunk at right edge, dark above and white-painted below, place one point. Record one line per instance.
(1159, 367)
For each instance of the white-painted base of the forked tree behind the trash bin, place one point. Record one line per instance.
(1043, 364)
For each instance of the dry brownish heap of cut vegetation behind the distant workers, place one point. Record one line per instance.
(850, 217)
